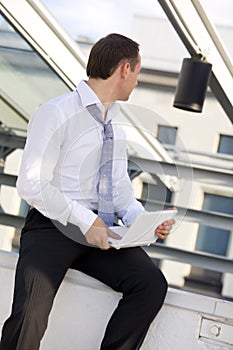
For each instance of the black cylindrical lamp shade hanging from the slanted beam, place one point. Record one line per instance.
(192, 84)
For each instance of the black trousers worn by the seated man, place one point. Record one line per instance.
(44, 258)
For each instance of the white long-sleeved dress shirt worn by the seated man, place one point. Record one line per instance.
(59, 169)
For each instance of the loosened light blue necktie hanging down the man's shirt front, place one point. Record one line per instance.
(104, 188)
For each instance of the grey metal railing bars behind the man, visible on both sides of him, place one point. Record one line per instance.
(161, 251)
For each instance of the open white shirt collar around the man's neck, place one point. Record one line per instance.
(88, 97)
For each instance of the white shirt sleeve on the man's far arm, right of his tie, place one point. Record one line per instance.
(126, 206)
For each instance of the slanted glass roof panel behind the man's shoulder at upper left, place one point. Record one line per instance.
(26, 81)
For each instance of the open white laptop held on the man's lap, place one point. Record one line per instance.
(142, 231)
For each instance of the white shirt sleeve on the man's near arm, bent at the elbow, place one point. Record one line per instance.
(46, 132)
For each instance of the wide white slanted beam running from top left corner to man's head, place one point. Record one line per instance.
(47, 37)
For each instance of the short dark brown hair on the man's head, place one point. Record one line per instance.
(108, 53)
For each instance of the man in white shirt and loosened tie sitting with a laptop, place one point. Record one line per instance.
(60, 179)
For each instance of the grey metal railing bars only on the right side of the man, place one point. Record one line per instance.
(219, 220)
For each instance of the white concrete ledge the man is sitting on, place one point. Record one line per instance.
(83, 306)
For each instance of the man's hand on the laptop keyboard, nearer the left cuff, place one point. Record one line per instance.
(98, 233)
